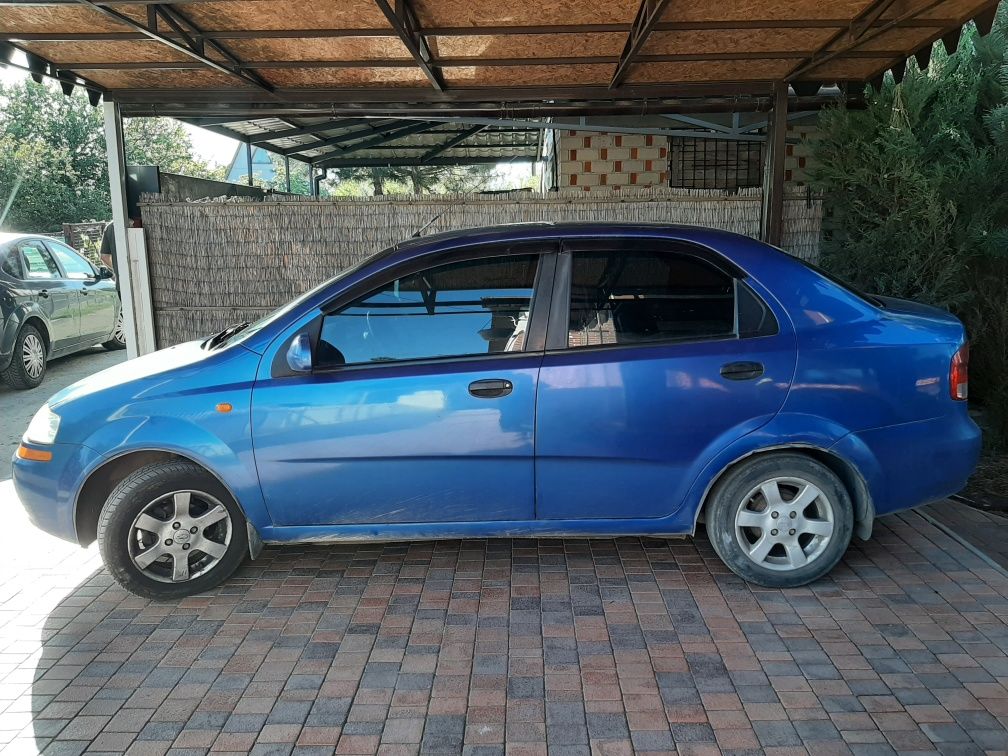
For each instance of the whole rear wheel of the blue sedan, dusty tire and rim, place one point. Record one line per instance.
(747, 535)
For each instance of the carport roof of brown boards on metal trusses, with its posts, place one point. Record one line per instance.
(433, 82)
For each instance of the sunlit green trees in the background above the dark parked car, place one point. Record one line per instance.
(53, 160)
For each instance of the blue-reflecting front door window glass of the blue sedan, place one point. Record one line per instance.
(473, 308)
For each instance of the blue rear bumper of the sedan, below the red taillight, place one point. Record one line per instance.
(917, 463)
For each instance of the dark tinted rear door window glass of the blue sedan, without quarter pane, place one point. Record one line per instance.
(636, 298)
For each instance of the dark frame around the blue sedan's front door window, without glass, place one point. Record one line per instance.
(536, 338)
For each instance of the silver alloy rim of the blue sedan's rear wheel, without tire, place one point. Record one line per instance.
(785, 524)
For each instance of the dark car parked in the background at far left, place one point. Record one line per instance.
(53, 303)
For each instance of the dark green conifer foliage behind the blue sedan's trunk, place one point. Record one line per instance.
(919, 186)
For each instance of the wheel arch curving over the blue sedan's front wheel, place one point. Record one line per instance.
(103, 479)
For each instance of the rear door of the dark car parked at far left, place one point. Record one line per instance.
(56, 296)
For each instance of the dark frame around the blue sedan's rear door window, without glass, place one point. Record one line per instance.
(558, 336)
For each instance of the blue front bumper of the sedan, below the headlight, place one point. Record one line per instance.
(49, 490)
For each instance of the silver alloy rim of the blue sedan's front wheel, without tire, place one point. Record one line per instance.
(180, 537)
